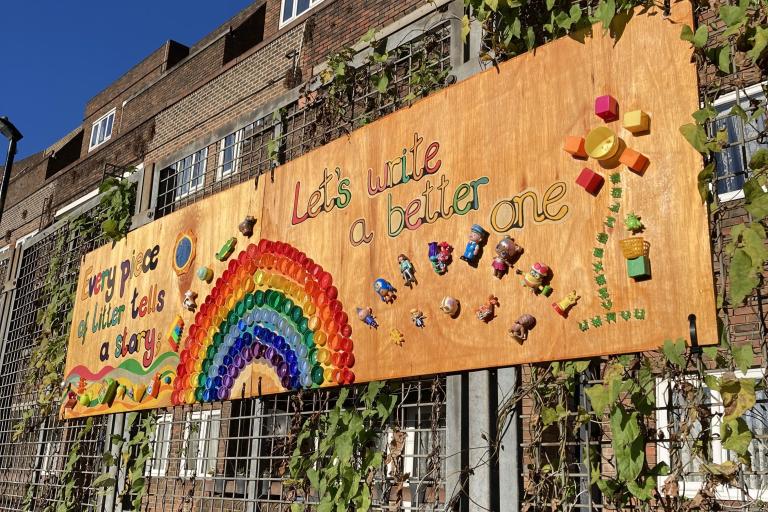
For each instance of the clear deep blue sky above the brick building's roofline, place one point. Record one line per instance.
(55, 55)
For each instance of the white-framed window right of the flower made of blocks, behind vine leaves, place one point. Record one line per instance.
(743, 140)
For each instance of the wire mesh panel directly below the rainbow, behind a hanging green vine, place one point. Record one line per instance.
(235, 455)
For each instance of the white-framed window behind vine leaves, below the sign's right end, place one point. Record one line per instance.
(670, 405)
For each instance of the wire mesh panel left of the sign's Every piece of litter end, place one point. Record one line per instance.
(33, 460)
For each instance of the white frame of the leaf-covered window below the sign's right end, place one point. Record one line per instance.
(719, 454)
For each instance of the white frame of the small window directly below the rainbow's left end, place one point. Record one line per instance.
(208, 436)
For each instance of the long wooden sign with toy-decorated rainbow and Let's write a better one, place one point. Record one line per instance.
(456, 234)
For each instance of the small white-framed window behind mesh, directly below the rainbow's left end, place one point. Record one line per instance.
(201, 444)
